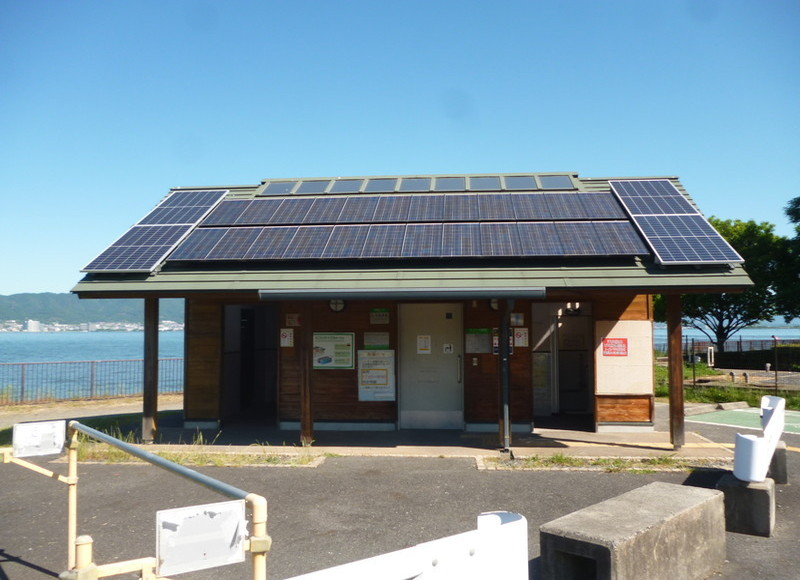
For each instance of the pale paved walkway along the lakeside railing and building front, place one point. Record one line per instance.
(541, 442)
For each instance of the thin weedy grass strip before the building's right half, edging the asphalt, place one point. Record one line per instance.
(606, 464)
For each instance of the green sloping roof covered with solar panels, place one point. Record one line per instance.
(477, 235)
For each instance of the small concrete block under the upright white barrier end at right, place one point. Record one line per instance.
(749, 506)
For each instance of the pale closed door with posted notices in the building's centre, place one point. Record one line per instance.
(431, 393)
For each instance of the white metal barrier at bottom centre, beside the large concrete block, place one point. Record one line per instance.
(498, 548)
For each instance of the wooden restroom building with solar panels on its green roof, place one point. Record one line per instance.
(418, 302)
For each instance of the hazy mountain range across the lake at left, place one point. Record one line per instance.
(67, 308)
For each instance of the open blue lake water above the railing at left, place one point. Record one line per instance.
(17, 347)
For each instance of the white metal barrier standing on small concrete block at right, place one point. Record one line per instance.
(753, 454)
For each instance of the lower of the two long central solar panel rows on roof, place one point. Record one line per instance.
(413, 240)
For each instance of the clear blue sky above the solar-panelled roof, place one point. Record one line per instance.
(106, 105)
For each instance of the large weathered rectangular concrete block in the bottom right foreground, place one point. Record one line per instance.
(661, 531)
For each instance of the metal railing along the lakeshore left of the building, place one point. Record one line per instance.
(25, 383)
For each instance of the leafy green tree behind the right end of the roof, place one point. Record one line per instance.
(719, 316)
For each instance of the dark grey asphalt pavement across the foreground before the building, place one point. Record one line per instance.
(348, 508)
